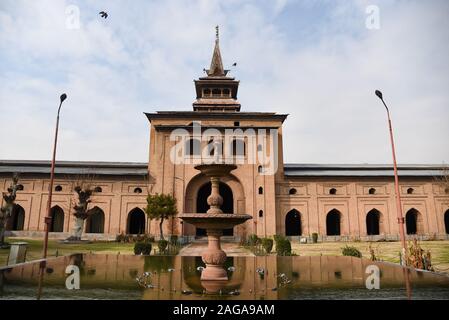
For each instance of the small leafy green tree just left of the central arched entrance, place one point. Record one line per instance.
(161, 207)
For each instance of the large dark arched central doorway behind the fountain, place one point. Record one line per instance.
(227, 206)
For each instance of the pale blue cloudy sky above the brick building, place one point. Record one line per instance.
(315, 60)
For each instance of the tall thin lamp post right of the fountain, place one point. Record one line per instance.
(396, 184)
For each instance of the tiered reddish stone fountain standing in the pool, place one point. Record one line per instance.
(214, 221)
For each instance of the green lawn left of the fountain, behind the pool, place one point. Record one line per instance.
(35, 246)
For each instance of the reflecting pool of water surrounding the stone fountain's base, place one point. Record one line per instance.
(252, 278)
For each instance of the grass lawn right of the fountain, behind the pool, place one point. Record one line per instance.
(386, 251)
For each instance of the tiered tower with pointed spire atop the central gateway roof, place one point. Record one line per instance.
(216, 92)
